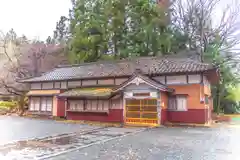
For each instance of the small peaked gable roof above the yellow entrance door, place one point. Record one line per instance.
(138, 78)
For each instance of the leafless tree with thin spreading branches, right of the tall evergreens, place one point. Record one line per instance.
(198, 20)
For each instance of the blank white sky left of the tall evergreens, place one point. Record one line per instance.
(33, 18)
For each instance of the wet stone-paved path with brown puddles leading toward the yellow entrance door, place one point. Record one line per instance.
(47, 147)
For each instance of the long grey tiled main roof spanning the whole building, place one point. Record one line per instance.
(148, 65)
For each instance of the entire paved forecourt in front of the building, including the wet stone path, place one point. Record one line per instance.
(45, 139)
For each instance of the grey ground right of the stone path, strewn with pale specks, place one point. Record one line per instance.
(166, 144)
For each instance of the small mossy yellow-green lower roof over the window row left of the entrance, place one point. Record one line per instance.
(87, 92)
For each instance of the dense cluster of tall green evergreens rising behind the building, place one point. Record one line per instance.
(117, 29)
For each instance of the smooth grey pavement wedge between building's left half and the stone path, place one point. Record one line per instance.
(19, 128)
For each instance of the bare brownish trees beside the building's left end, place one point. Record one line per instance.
(24, 60)
